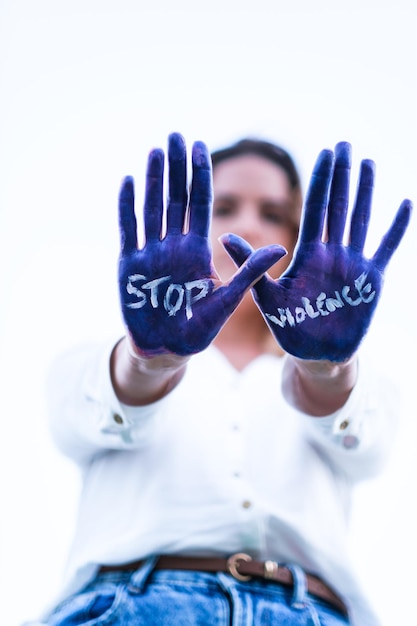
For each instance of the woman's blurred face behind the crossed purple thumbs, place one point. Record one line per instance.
(253, 199)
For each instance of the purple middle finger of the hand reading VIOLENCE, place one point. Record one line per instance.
(339, 193)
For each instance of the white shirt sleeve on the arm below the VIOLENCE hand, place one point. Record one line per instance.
(357, 438)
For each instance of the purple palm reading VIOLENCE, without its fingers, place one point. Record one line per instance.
(322, 306)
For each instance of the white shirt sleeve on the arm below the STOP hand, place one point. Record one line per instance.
(86, 418)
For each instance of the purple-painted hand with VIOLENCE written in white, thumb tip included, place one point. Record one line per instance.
(322, 306)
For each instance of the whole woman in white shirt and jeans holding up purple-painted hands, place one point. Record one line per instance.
(220, 438)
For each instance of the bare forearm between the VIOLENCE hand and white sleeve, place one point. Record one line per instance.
(318, 388)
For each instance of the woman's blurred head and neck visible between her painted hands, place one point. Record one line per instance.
(257, 196)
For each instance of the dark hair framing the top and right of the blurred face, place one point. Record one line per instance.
(271, 152)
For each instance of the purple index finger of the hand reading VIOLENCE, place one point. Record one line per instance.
(316, 198)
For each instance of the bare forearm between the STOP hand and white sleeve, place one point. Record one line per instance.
(140, 380)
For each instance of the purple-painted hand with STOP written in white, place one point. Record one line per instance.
(172, 299)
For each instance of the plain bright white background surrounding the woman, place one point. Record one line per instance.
(87, 88)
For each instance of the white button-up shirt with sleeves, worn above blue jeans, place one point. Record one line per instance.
(221, 465)
